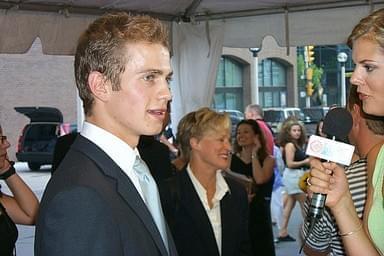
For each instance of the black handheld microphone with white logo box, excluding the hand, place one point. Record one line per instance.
(337, 125)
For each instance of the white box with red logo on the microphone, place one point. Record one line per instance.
(330, 150)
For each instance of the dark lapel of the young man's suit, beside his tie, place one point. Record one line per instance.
(125, 187)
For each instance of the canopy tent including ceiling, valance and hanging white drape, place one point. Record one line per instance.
(200, 28)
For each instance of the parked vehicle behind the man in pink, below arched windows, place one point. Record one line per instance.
(274, 117)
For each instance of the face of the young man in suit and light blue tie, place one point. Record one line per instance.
(139, 107)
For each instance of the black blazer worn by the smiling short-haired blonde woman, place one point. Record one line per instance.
(189, 223)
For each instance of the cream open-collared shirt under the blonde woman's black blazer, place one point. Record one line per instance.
(214, 213)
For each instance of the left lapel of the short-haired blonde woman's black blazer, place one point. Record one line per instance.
(194, 207)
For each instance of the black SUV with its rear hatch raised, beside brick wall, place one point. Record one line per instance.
(38, 138)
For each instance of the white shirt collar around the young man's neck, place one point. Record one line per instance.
(120, 152)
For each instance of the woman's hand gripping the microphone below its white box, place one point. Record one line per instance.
(329, 178)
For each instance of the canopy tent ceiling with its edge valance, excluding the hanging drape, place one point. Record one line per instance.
(58, 23)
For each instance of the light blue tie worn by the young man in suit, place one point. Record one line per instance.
(151, 197)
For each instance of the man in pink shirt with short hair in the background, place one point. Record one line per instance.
(255, 112)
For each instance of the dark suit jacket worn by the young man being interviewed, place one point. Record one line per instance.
(91, 207)
